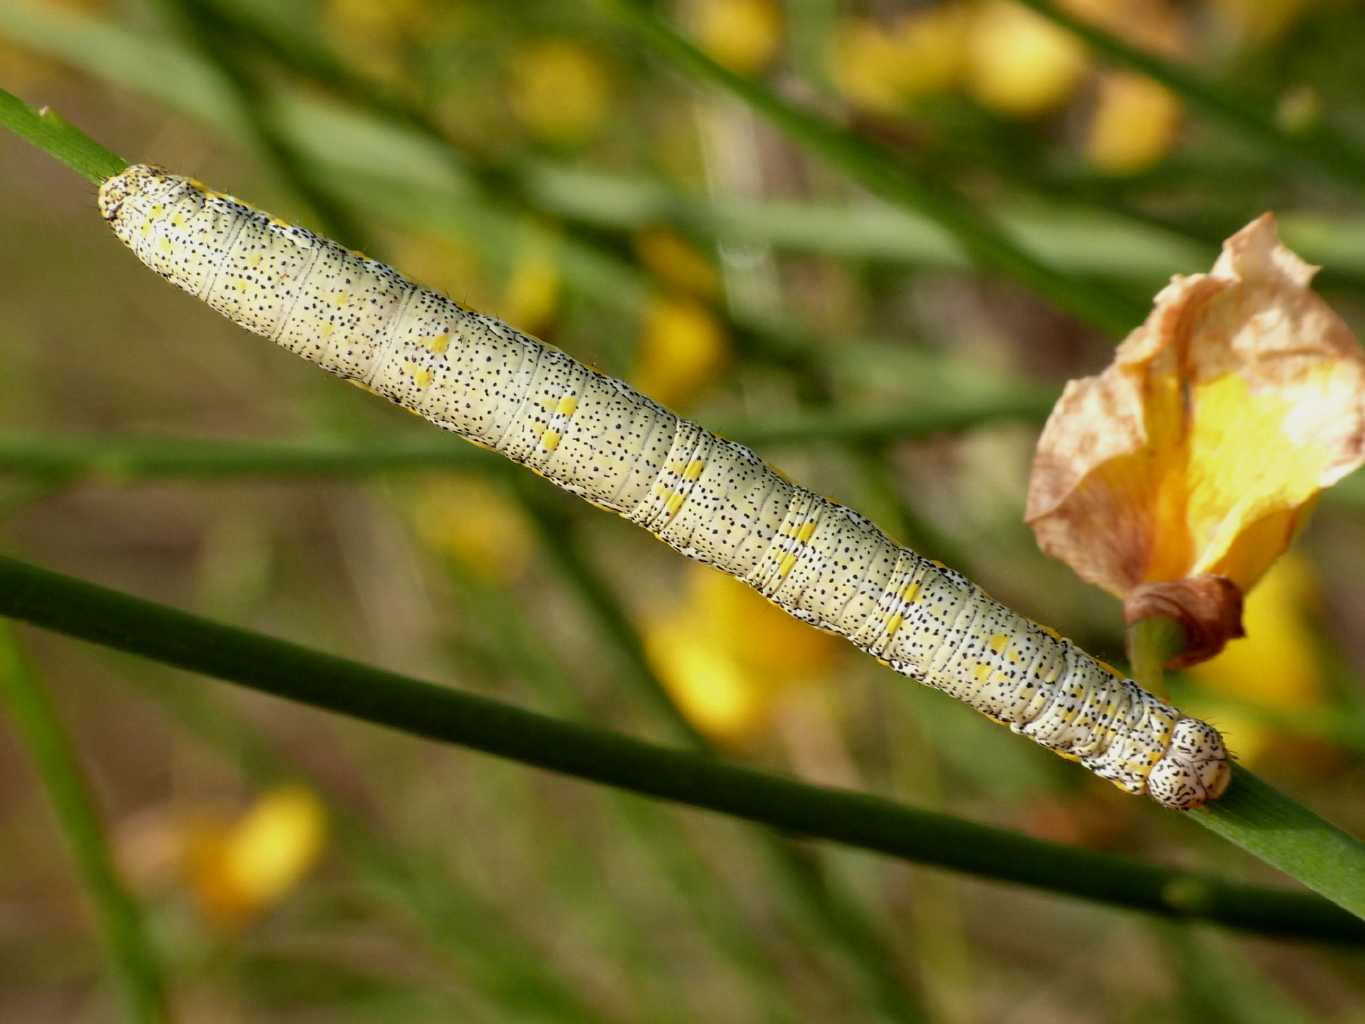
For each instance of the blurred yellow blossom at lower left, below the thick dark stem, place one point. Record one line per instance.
(242, 869)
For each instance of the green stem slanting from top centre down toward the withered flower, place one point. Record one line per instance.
(892, 178)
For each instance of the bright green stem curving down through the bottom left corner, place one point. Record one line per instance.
(132, 959)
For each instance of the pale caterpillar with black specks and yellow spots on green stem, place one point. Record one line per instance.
(708, 498)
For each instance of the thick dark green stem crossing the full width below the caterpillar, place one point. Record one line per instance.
(289, 671)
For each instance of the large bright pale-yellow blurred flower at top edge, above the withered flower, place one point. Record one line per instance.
(1019, 63)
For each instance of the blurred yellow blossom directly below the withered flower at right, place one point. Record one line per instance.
(1276, 668)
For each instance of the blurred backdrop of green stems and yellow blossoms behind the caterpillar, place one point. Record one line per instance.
(538, 162)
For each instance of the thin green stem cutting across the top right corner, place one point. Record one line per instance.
(1323, 150)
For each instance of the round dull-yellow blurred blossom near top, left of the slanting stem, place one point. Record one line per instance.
(560, 91)
